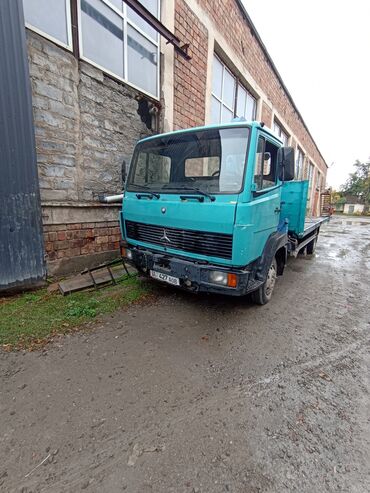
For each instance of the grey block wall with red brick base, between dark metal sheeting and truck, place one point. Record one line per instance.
(86, 124)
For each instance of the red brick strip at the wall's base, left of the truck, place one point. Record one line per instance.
(70, 240)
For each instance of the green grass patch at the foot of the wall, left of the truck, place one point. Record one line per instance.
(30, 319)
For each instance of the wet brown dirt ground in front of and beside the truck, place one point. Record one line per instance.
(205, 394)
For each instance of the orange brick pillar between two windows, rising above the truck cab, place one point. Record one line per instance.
(190, 77)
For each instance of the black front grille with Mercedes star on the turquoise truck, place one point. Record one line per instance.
(187, 240)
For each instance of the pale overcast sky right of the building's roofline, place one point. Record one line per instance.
(321, 49)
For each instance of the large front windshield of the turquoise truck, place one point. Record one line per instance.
(211, 160)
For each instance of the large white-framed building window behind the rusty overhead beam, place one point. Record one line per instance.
(118, 41)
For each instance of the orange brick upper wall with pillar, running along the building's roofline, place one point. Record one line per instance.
(227, 19)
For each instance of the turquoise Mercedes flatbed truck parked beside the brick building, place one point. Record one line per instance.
(215, 209)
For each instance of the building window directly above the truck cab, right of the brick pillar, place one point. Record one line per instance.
(229, 97)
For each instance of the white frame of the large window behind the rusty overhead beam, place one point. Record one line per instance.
(126, 22)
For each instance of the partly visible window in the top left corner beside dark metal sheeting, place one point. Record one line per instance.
(50, 18)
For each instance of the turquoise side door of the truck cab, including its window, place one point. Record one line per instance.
(266, 192)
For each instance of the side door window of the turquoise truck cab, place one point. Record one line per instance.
(265, 167)
